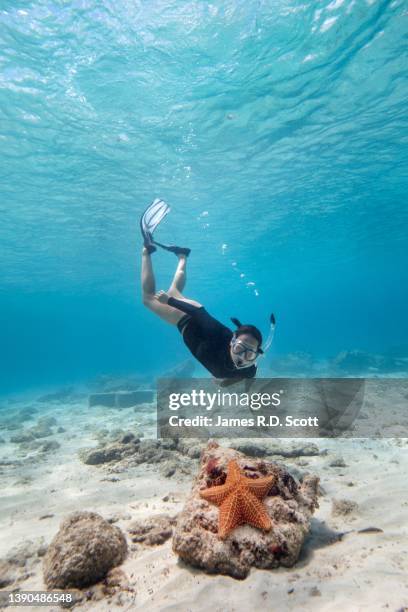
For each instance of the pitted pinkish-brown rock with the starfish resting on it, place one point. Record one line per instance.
(289, 504)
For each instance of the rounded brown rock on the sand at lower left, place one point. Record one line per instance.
(85, 548)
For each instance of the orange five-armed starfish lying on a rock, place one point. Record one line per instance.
(239, 500)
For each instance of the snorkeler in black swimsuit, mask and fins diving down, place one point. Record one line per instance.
(225, 354)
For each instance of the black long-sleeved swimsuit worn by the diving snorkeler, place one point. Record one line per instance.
(209, 341)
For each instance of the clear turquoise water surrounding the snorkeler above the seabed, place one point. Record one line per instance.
(276, 129)
